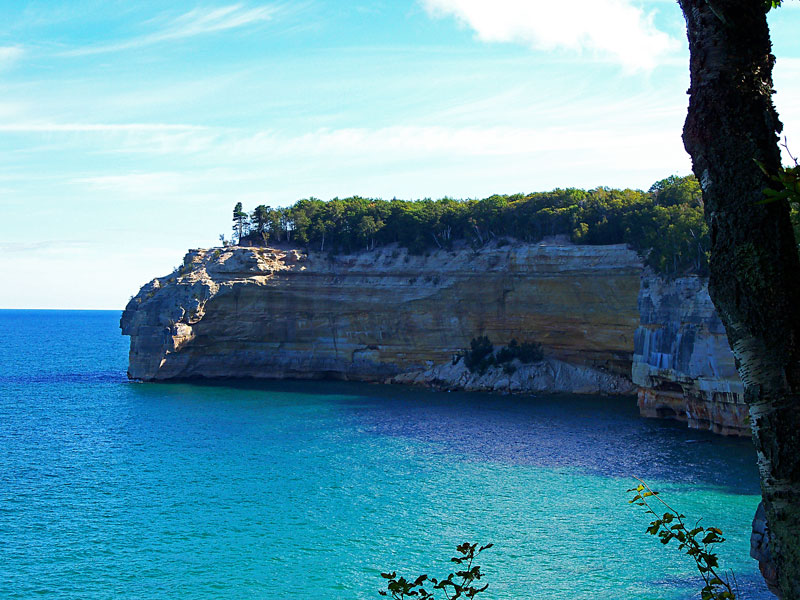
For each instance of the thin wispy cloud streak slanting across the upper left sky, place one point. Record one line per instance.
(196, 22)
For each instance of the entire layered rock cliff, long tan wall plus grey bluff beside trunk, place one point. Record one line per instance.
(388, 316)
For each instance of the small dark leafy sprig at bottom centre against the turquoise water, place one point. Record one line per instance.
(455, 585)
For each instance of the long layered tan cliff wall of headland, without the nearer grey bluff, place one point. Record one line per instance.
(374, 316)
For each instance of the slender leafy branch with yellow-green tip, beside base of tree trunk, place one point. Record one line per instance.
(671, 526)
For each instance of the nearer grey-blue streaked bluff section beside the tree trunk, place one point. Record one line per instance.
(682, 362)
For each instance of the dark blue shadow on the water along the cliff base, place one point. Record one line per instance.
(597, 434)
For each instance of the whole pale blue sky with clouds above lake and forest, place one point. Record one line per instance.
(128, 130)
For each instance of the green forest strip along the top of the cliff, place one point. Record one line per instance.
(665, 224)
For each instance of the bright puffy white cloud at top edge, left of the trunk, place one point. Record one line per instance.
(610, 28)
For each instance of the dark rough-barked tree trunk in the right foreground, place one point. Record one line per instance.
(754, 270)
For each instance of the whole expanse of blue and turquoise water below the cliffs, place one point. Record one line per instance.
(111, 489)
